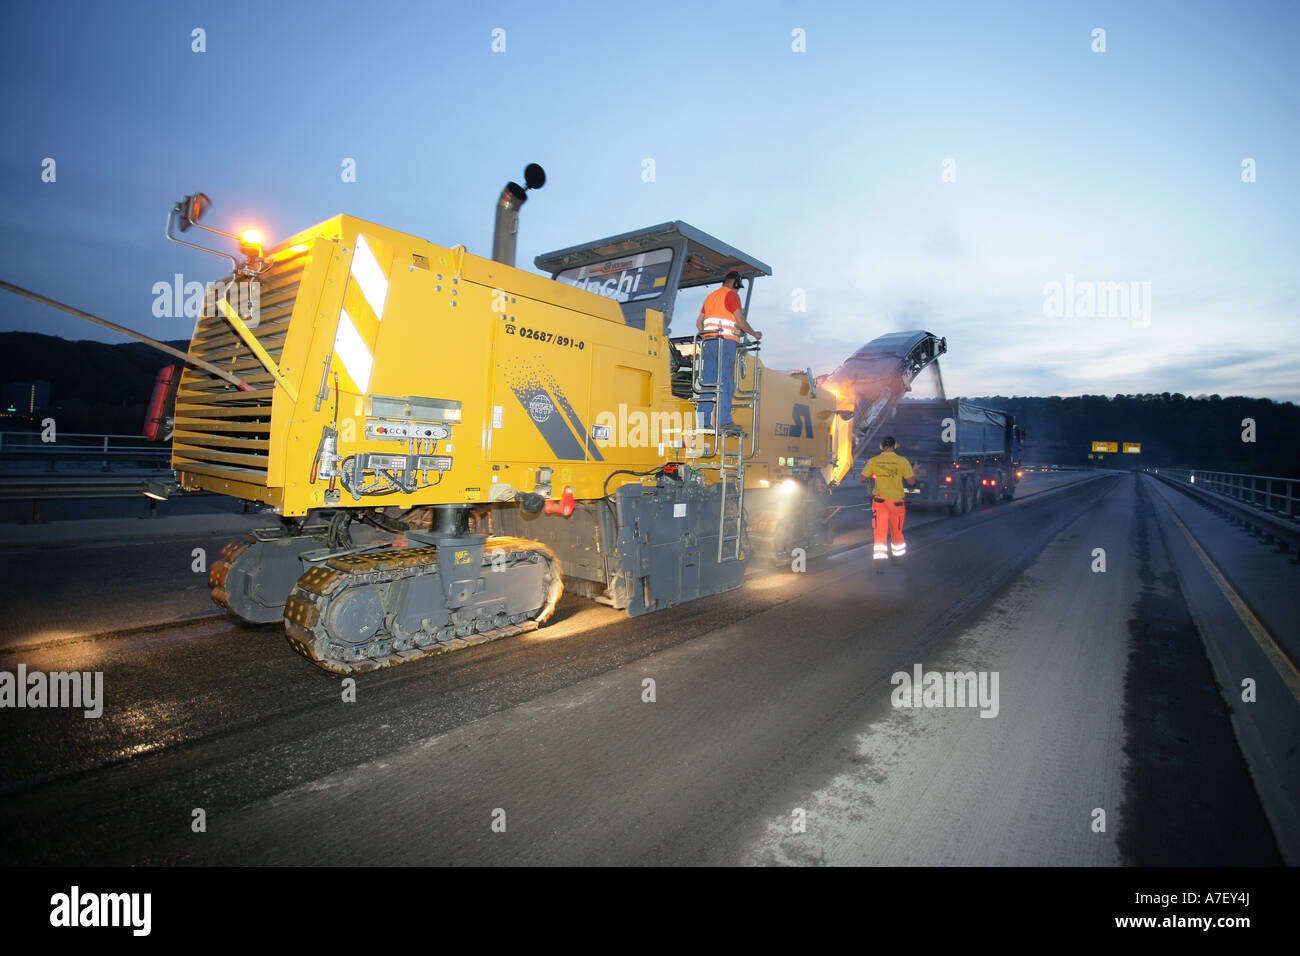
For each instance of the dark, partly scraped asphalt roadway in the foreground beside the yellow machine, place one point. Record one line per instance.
(772, 736)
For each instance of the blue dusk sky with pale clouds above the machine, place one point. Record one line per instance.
(902, 166)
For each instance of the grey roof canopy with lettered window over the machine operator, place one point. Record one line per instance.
(647, 269)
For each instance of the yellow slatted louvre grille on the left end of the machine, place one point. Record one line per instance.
(222, 431)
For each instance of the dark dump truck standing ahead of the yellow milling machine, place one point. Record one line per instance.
(964, 455)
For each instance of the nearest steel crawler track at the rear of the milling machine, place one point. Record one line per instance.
(362, 612)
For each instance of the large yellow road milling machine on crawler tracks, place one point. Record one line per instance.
(449, 442)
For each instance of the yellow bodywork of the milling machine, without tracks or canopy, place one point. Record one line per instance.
(471, 380)
